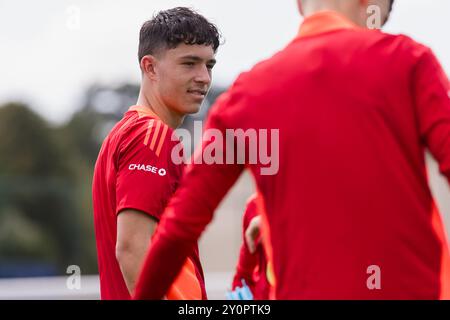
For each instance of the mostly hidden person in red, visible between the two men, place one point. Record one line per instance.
(252, 263)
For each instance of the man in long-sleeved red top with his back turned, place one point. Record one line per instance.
(349, 214)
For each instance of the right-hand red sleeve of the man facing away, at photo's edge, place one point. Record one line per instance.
(431, 91)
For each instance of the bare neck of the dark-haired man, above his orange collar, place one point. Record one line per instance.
(164, 113)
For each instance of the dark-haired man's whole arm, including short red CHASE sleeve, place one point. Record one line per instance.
(141, 194)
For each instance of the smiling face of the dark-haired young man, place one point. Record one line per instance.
(183, 77)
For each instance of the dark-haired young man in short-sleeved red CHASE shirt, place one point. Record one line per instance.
(134, 175)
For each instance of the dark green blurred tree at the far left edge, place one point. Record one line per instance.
(35, 191)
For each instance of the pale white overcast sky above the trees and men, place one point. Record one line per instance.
(48, 62)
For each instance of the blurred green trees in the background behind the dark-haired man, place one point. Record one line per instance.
(46, 220)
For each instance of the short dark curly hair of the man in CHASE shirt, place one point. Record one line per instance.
(169, 28)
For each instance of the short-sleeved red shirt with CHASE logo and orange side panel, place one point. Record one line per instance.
(134, 171)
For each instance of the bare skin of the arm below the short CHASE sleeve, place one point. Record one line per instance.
(134, 231)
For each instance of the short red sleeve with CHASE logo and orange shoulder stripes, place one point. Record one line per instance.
(146, 178)
